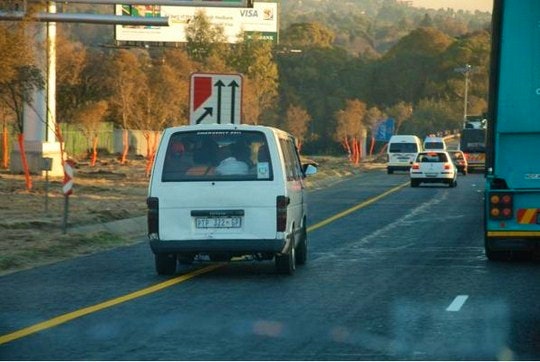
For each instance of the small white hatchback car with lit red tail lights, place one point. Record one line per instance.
(433, 167)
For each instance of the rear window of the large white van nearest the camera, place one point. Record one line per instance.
(220, 155)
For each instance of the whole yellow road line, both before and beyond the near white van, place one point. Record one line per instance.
(166, 284)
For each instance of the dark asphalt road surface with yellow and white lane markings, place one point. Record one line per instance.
(395, 277)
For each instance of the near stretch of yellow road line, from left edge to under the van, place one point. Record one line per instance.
(107, 304)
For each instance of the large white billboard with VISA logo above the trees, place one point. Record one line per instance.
(262, 18)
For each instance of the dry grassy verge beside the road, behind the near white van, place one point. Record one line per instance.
(107, 192)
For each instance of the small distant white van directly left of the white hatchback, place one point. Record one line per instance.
(402, 150)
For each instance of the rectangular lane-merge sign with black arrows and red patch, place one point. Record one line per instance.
(215, 98)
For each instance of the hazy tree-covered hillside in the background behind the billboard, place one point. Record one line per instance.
(358, 25)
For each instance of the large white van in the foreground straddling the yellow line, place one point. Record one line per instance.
(219, 191)
